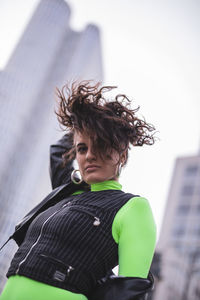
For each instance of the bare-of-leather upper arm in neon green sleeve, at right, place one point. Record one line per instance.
(134, 230)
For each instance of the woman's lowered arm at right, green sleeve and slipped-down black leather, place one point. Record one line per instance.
(135, 232)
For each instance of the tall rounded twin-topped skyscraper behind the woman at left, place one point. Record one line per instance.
(48, 55)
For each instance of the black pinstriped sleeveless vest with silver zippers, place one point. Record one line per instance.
(70, 245)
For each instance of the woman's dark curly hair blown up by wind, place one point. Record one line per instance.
(111, 124)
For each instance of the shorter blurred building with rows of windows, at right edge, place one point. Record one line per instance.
(179, 241)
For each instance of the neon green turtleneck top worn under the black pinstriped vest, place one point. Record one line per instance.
(134, 231)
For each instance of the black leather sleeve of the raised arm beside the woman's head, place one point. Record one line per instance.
(58, 174)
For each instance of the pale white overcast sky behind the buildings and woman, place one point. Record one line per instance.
(151, 52)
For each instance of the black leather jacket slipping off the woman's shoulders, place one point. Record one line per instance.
(111, 286)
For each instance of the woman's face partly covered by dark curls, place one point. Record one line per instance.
(92, 168)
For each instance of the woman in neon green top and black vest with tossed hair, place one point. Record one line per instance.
(69, 243)
